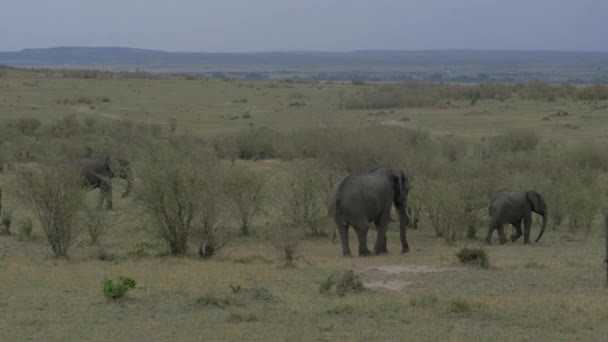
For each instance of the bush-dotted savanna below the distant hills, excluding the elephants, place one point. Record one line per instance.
(237, 202)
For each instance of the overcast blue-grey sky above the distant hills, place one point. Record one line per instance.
(262, 25)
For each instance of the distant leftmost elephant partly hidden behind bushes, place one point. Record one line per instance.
(98, 173)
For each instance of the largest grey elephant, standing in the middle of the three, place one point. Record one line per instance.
(361, 199)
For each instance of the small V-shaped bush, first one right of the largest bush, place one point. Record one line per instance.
(245, 191)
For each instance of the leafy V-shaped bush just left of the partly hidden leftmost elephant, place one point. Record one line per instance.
(55, 195)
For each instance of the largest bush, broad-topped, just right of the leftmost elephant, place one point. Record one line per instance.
(171, 186)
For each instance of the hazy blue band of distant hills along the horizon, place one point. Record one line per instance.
(371, 65)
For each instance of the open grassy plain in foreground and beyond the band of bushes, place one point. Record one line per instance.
(553, 290)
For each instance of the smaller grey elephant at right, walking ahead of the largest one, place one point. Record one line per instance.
(513, 207)
